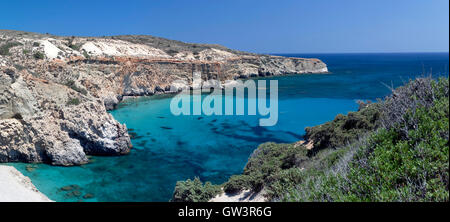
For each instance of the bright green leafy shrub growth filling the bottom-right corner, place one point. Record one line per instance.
(413, 169)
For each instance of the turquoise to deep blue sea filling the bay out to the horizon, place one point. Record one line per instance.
(170, 148)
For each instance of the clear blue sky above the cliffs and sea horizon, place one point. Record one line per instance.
(283, 26)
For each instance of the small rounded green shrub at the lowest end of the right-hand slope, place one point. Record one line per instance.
(194, 191)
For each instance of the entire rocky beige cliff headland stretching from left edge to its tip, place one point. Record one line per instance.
(55, 91)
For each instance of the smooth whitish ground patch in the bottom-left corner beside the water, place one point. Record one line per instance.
(15, 187)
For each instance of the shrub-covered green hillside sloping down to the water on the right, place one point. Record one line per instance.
(394, 150)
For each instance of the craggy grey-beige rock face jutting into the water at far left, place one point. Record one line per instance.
(39, 124)
